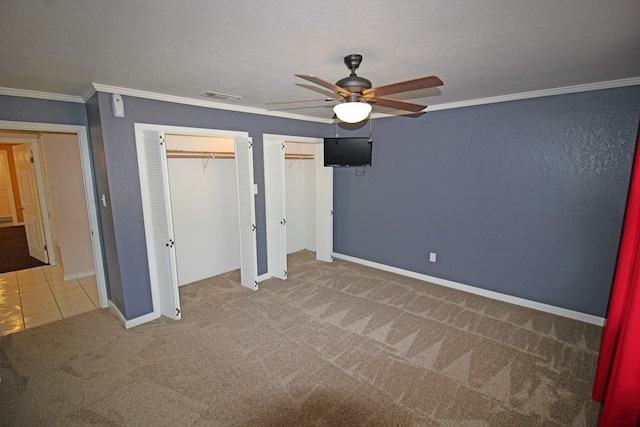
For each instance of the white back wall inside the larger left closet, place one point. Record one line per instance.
(204, 205)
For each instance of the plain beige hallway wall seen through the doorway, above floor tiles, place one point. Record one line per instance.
(73, 233)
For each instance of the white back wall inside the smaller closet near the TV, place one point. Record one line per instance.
(300, 199)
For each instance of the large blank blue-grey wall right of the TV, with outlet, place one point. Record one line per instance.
(524, 198)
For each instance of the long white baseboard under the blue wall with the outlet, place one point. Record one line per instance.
(588, 318)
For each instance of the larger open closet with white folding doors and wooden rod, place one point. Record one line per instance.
(198, 205)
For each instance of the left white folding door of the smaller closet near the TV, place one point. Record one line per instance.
(276, 208)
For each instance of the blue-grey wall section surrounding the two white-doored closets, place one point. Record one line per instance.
(123, 223)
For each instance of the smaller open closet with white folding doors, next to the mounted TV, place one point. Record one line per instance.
(298, 198)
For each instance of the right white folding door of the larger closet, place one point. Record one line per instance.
(246, 211)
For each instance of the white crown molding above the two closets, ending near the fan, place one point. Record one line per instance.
(204, 103)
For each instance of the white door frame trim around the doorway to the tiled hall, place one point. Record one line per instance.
(89, 189)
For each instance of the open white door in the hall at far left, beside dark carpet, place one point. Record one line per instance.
(30, 201)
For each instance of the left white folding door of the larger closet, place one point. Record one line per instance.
(160, 239)
